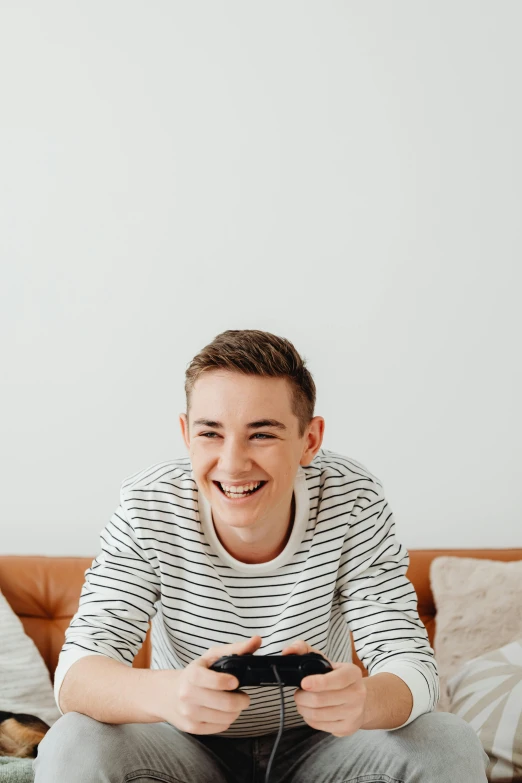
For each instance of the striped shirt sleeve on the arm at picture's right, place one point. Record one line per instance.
(379, 603)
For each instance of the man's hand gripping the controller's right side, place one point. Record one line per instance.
(333, 702)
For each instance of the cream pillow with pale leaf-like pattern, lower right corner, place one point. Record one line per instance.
(487, 693)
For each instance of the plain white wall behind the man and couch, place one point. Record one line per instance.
(345, 174)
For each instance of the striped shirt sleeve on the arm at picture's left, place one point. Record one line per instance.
(117, 600)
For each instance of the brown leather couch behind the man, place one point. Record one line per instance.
(44, 592)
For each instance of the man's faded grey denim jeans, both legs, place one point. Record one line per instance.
(434, 748)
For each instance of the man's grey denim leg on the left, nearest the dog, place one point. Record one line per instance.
(80, 749)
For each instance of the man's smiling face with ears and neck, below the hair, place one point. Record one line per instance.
(242, 431)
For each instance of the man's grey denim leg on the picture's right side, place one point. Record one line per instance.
(434, 748)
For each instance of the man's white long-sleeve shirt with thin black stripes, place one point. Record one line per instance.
(342, 569)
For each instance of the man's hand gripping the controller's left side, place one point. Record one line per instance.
(196, 699)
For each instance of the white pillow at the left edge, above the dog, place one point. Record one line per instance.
(25, 683)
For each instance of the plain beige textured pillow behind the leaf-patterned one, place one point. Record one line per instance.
(479, 609)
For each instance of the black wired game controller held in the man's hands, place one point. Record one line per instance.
(257, 669)
